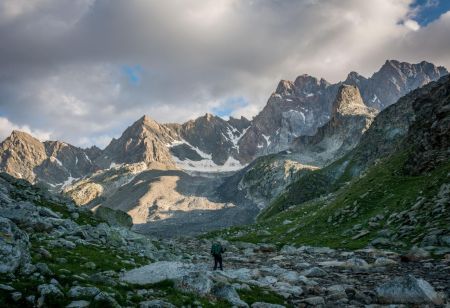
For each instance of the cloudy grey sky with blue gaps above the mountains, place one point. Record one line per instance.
(81, 71)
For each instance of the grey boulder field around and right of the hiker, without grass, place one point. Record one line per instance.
(305, 276)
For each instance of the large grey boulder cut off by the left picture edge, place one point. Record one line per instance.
(14, 245)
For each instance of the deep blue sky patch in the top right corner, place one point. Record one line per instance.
(429, 10)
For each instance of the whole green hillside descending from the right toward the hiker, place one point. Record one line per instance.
(384, 205)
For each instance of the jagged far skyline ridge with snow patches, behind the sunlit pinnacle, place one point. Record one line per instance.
(210, 143)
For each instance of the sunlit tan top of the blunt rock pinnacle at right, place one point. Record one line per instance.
(348, 101)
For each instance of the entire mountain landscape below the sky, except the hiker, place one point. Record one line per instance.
(334, 195)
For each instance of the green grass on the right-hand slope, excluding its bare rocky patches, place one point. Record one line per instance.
(383, 190)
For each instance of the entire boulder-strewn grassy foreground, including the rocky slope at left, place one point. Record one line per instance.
(54, 254)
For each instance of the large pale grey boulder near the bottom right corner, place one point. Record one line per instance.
(407, 290)
